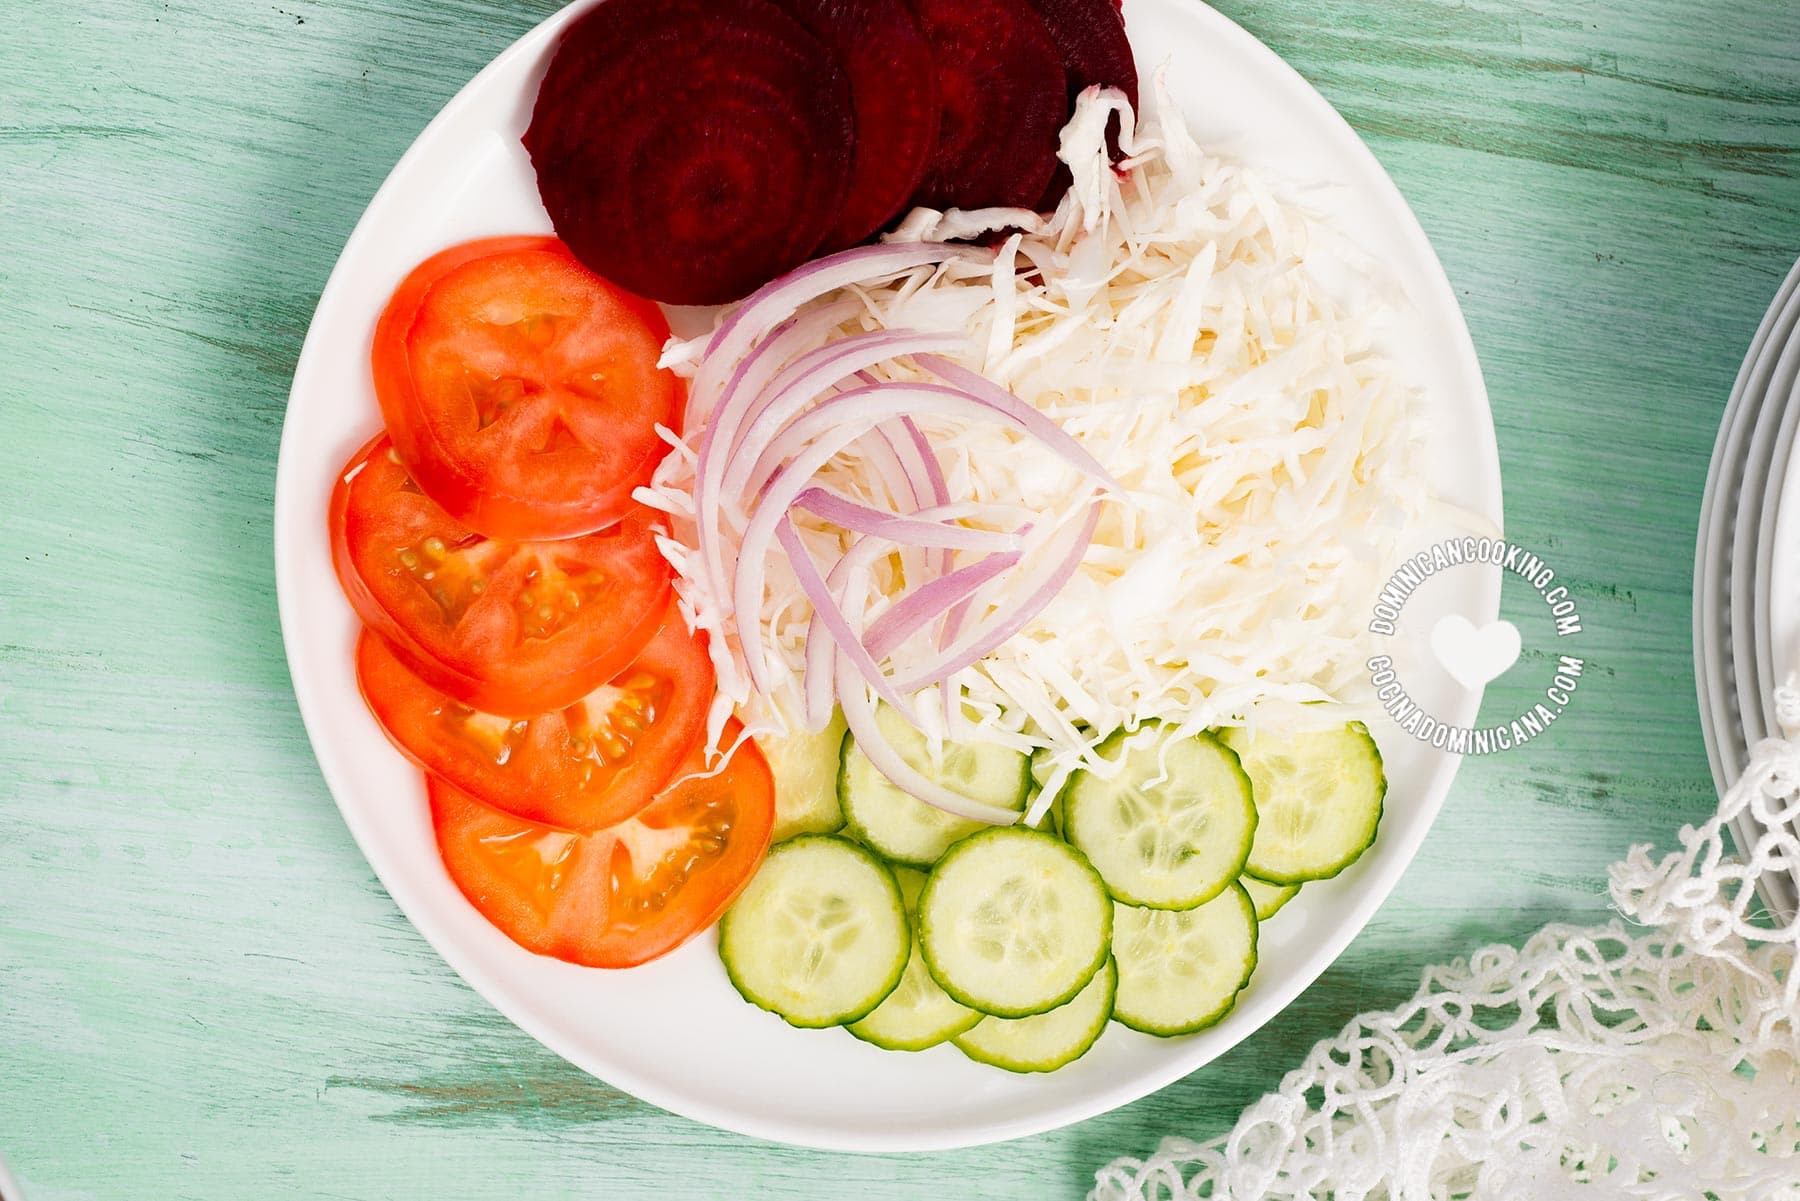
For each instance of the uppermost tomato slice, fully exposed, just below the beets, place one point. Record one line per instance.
(523, 390)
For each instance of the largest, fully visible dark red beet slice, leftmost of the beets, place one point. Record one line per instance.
(692, 150)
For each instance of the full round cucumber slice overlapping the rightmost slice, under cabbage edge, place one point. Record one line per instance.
(1174, 824)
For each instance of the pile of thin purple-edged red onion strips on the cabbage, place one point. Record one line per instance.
(771, 424)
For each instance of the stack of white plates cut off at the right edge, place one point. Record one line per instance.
(1747, 570)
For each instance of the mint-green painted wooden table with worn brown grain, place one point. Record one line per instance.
(204, 993)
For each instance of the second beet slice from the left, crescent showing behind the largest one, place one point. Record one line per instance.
(894, 91)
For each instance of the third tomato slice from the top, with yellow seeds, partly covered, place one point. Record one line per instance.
(593, 764)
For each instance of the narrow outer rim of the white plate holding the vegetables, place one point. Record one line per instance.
(1369, 896)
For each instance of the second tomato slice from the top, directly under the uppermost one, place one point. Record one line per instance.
(507, 628)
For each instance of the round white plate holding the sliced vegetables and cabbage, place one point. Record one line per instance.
(674, 1033)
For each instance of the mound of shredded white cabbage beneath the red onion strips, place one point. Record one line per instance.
(1167, 320)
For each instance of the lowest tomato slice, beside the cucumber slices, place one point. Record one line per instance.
(622, 896)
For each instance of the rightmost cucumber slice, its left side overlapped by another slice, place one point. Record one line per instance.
(1318, 800)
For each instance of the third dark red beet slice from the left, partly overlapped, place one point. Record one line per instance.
(1002, 102)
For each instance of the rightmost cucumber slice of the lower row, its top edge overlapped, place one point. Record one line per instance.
(1182, 970)
